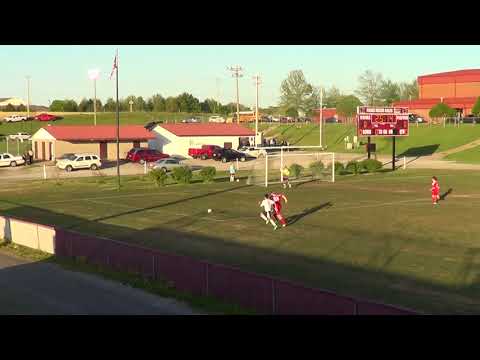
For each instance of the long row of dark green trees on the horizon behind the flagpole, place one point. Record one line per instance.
(184, 102)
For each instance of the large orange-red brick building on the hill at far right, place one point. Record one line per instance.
(458, 89)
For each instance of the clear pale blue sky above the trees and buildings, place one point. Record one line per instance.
(61, 71)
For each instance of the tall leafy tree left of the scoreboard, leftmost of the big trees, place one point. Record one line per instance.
(297, 93)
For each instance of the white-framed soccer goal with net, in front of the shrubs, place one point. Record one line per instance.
(304, 164)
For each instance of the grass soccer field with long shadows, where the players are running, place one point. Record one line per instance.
(372, 236)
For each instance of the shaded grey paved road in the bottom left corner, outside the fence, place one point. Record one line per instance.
(39, 288)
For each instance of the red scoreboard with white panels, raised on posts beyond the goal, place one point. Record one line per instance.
(382, 121)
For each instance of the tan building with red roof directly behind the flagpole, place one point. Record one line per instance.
(51, 142)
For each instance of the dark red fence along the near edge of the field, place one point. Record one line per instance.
(263, 294)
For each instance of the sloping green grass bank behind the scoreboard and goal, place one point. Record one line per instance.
(423, 140)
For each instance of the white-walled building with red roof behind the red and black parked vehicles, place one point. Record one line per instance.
(176, 139)
